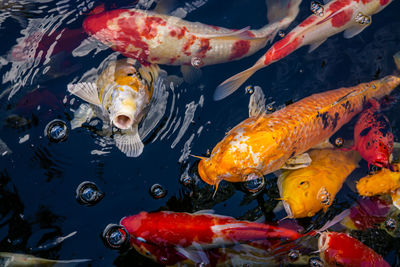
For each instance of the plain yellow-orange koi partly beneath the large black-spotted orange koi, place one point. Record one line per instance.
(306, 191)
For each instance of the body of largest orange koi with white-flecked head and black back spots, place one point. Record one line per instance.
(262, 144)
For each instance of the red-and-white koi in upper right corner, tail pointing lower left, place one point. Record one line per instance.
(350, 16)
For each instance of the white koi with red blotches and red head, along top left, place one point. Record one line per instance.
(162, 39)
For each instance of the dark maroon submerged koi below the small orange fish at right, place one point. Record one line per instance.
(367, 213)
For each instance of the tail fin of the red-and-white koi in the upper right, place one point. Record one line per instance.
(233, 83)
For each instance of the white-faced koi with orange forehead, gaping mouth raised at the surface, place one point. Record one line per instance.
(122, 93)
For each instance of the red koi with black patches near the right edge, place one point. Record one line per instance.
(373, 137)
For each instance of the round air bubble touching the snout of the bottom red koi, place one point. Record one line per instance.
(115, 236)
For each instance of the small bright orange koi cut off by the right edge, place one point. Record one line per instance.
(383, 182)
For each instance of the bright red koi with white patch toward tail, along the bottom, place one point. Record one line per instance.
(171, 237)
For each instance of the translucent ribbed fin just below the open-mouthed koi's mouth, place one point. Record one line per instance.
(129, 143)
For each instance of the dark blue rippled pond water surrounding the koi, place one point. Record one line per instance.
(39, 178)
